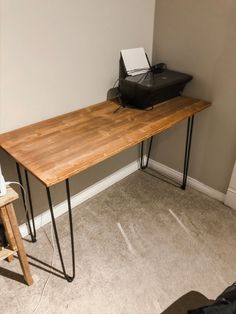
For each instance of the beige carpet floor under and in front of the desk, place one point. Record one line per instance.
(140, 245)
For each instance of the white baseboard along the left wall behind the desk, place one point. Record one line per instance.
(79, 198)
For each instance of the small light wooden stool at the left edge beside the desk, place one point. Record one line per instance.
(15, 244)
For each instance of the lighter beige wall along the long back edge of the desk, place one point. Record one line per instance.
(61, 55)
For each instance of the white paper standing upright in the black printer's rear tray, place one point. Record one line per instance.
(135, 61)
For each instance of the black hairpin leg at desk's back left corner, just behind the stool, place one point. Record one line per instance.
(32, 232)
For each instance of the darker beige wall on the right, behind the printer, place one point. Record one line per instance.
(199, 37)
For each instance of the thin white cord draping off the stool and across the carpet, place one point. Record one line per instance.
(52, 244)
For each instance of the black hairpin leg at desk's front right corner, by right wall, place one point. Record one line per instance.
(187, 151)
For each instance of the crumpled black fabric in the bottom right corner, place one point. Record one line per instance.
(224, 304)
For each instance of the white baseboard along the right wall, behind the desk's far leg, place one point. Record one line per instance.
(176, 175)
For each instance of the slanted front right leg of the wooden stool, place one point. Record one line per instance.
(21, 250)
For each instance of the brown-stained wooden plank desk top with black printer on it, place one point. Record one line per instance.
(56, 149)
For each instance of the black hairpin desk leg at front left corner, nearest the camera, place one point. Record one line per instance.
(67, 277)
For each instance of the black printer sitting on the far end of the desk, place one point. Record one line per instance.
(145, 90)
